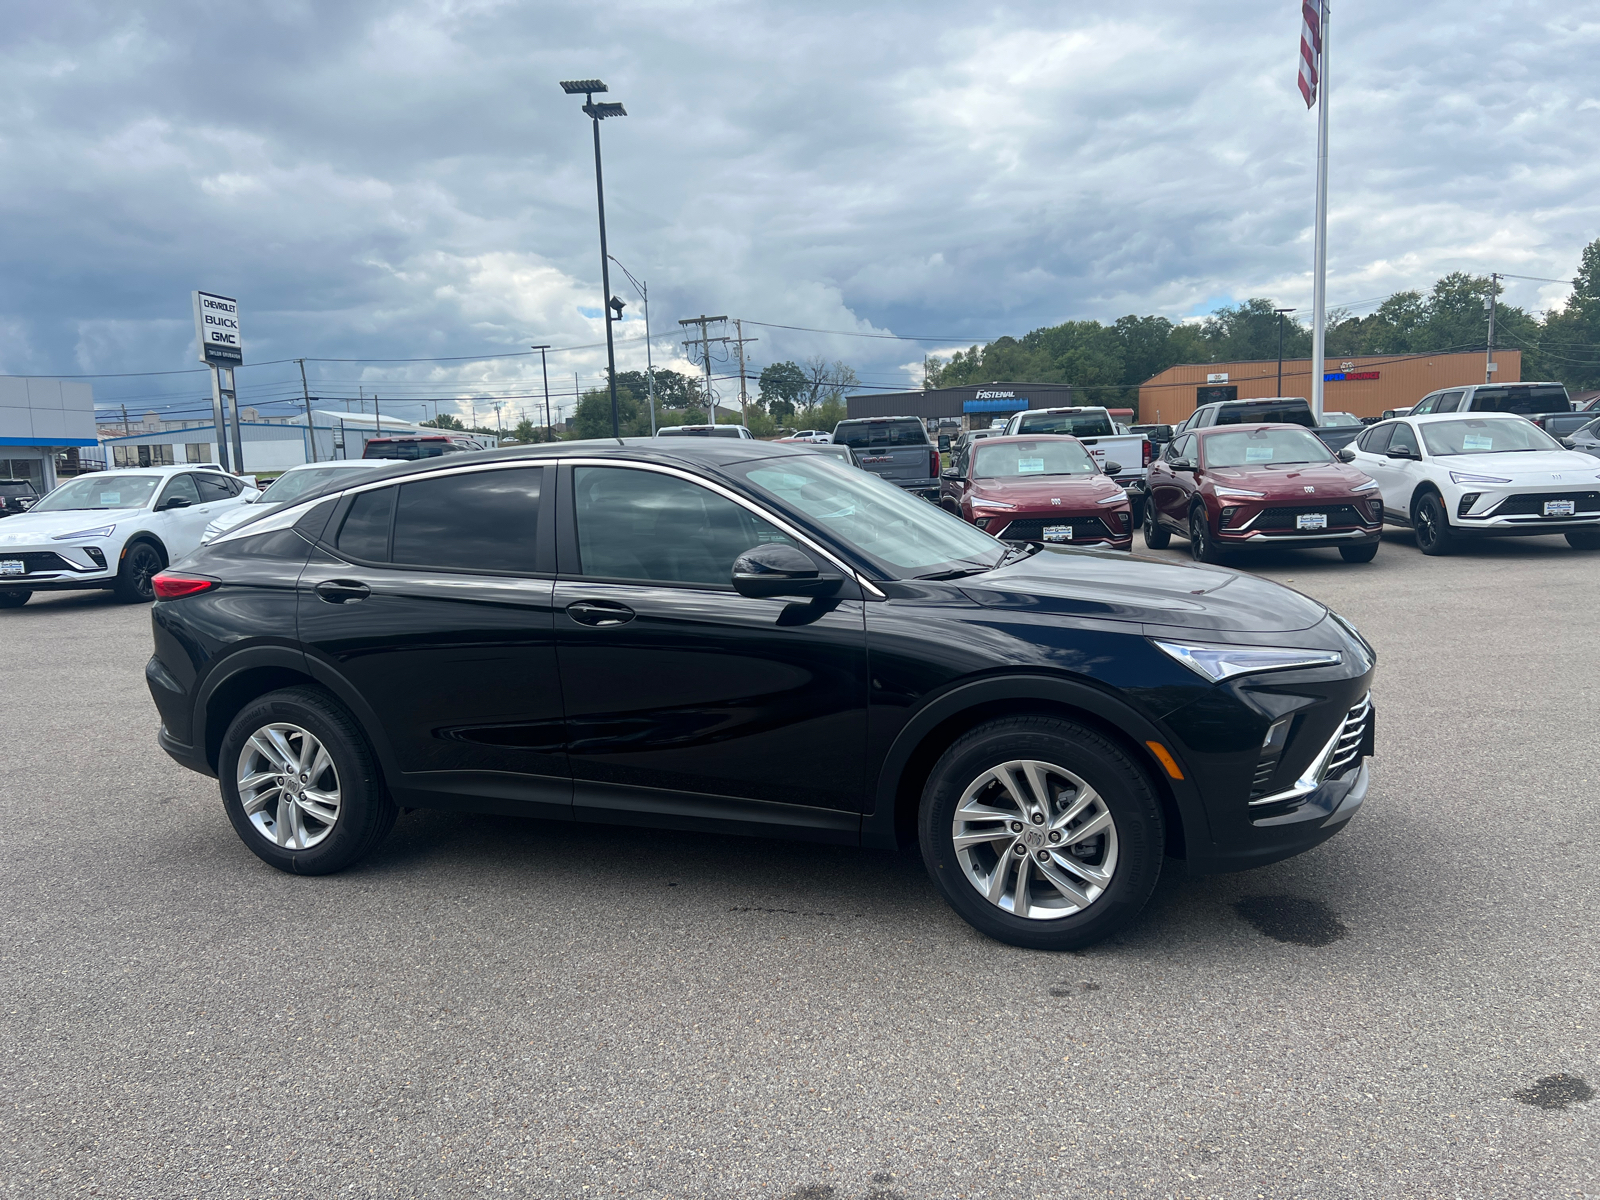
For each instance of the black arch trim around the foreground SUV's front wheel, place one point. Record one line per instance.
(878, 826)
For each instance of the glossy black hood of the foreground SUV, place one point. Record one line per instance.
(1150, 591)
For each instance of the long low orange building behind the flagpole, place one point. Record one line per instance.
(1361, 385)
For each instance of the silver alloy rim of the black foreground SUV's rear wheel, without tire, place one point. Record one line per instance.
(289, 786)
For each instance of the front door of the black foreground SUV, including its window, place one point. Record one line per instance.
(689, 703)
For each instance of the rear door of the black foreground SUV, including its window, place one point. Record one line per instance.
(430, 606)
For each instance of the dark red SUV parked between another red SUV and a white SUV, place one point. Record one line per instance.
(1262, 486)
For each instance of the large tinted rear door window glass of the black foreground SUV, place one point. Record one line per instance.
(478, 521)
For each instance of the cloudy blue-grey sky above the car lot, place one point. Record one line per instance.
(406, 180)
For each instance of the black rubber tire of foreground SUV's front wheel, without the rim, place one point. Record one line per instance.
(1124, 791)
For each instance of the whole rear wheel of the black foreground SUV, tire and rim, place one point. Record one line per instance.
(302, 785)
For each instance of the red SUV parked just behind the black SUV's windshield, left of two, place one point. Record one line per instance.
(1039, 489)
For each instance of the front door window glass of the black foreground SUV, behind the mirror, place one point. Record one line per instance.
(660, 529)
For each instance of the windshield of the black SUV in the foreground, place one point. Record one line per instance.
(905, 535)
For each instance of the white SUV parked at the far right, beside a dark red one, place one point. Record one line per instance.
(1454, 476)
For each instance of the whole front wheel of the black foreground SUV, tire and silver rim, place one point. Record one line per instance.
(1042, 833)
